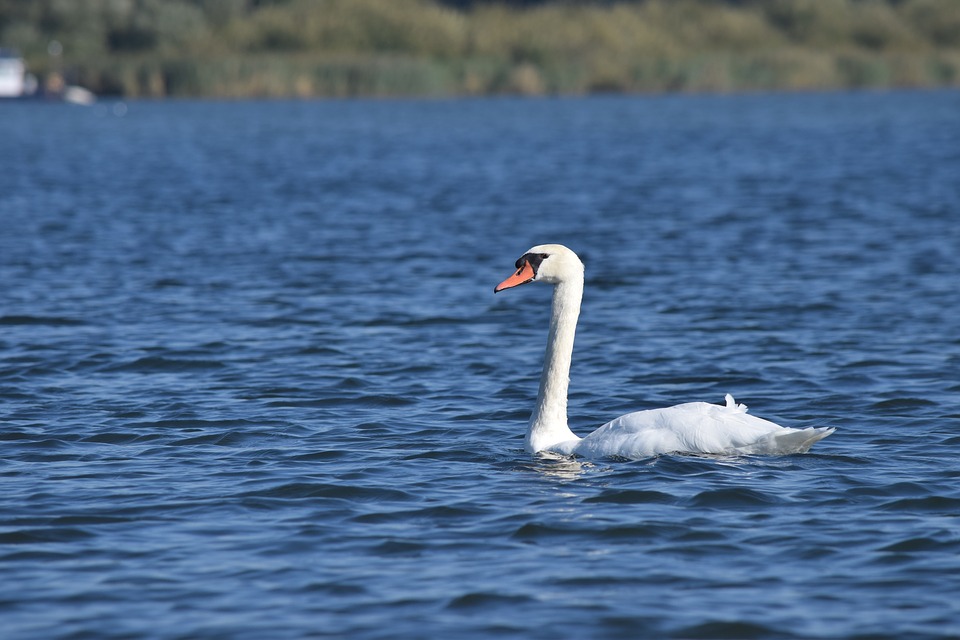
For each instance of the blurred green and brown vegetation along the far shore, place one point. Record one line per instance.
(248, 48)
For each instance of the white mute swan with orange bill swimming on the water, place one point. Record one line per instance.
(690, 428)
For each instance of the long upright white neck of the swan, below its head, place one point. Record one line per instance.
(548, 424)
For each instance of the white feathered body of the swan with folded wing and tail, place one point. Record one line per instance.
(696, 427)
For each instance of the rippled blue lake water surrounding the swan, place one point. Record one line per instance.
(254, 381)
